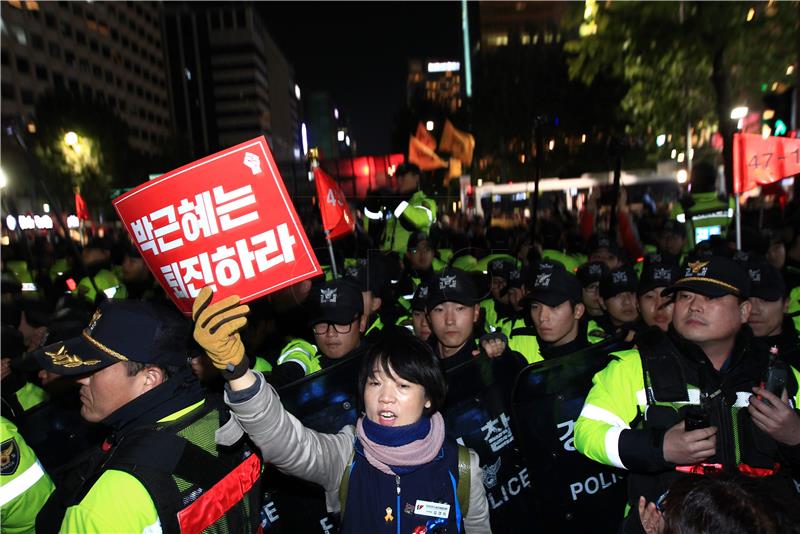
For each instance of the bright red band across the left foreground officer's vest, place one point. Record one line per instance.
(213, 504)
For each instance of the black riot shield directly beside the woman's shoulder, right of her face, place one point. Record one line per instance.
(477, 412)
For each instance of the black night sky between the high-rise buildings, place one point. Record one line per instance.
(359, 52)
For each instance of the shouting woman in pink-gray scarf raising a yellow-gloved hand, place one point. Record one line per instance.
(394, 471)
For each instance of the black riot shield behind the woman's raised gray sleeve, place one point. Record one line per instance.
(325, 401)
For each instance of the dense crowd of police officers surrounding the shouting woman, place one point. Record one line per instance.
(121, 415)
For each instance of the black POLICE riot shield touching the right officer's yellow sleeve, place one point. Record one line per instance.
(571, 493)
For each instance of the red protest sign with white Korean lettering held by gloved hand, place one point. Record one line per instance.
(224, 221)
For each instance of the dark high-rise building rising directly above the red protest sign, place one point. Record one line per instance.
(229, 80)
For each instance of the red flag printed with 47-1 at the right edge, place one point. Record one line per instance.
(758, 161)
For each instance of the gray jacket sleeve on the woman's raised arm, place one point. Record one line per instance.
(287, 444)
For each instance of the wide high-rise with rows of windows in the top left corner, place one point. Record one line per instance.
(110, 51)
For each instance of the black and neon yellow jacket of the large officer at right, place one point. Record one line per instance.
(644, 392)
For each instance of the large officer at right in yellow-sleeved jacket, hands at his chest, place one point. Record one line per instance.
(688, 401)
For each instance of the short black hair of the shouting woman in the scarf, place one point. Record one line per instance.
(399, 353)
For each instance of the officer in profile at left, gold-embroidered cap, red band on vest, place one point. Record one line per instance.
(160, 459)
